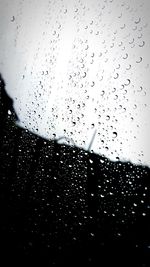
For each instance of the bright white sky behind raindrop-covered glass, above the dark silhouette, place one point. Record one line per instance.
(80, 69)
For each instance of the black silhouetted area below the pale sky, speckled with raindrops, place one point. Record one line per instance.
(63, 206)
